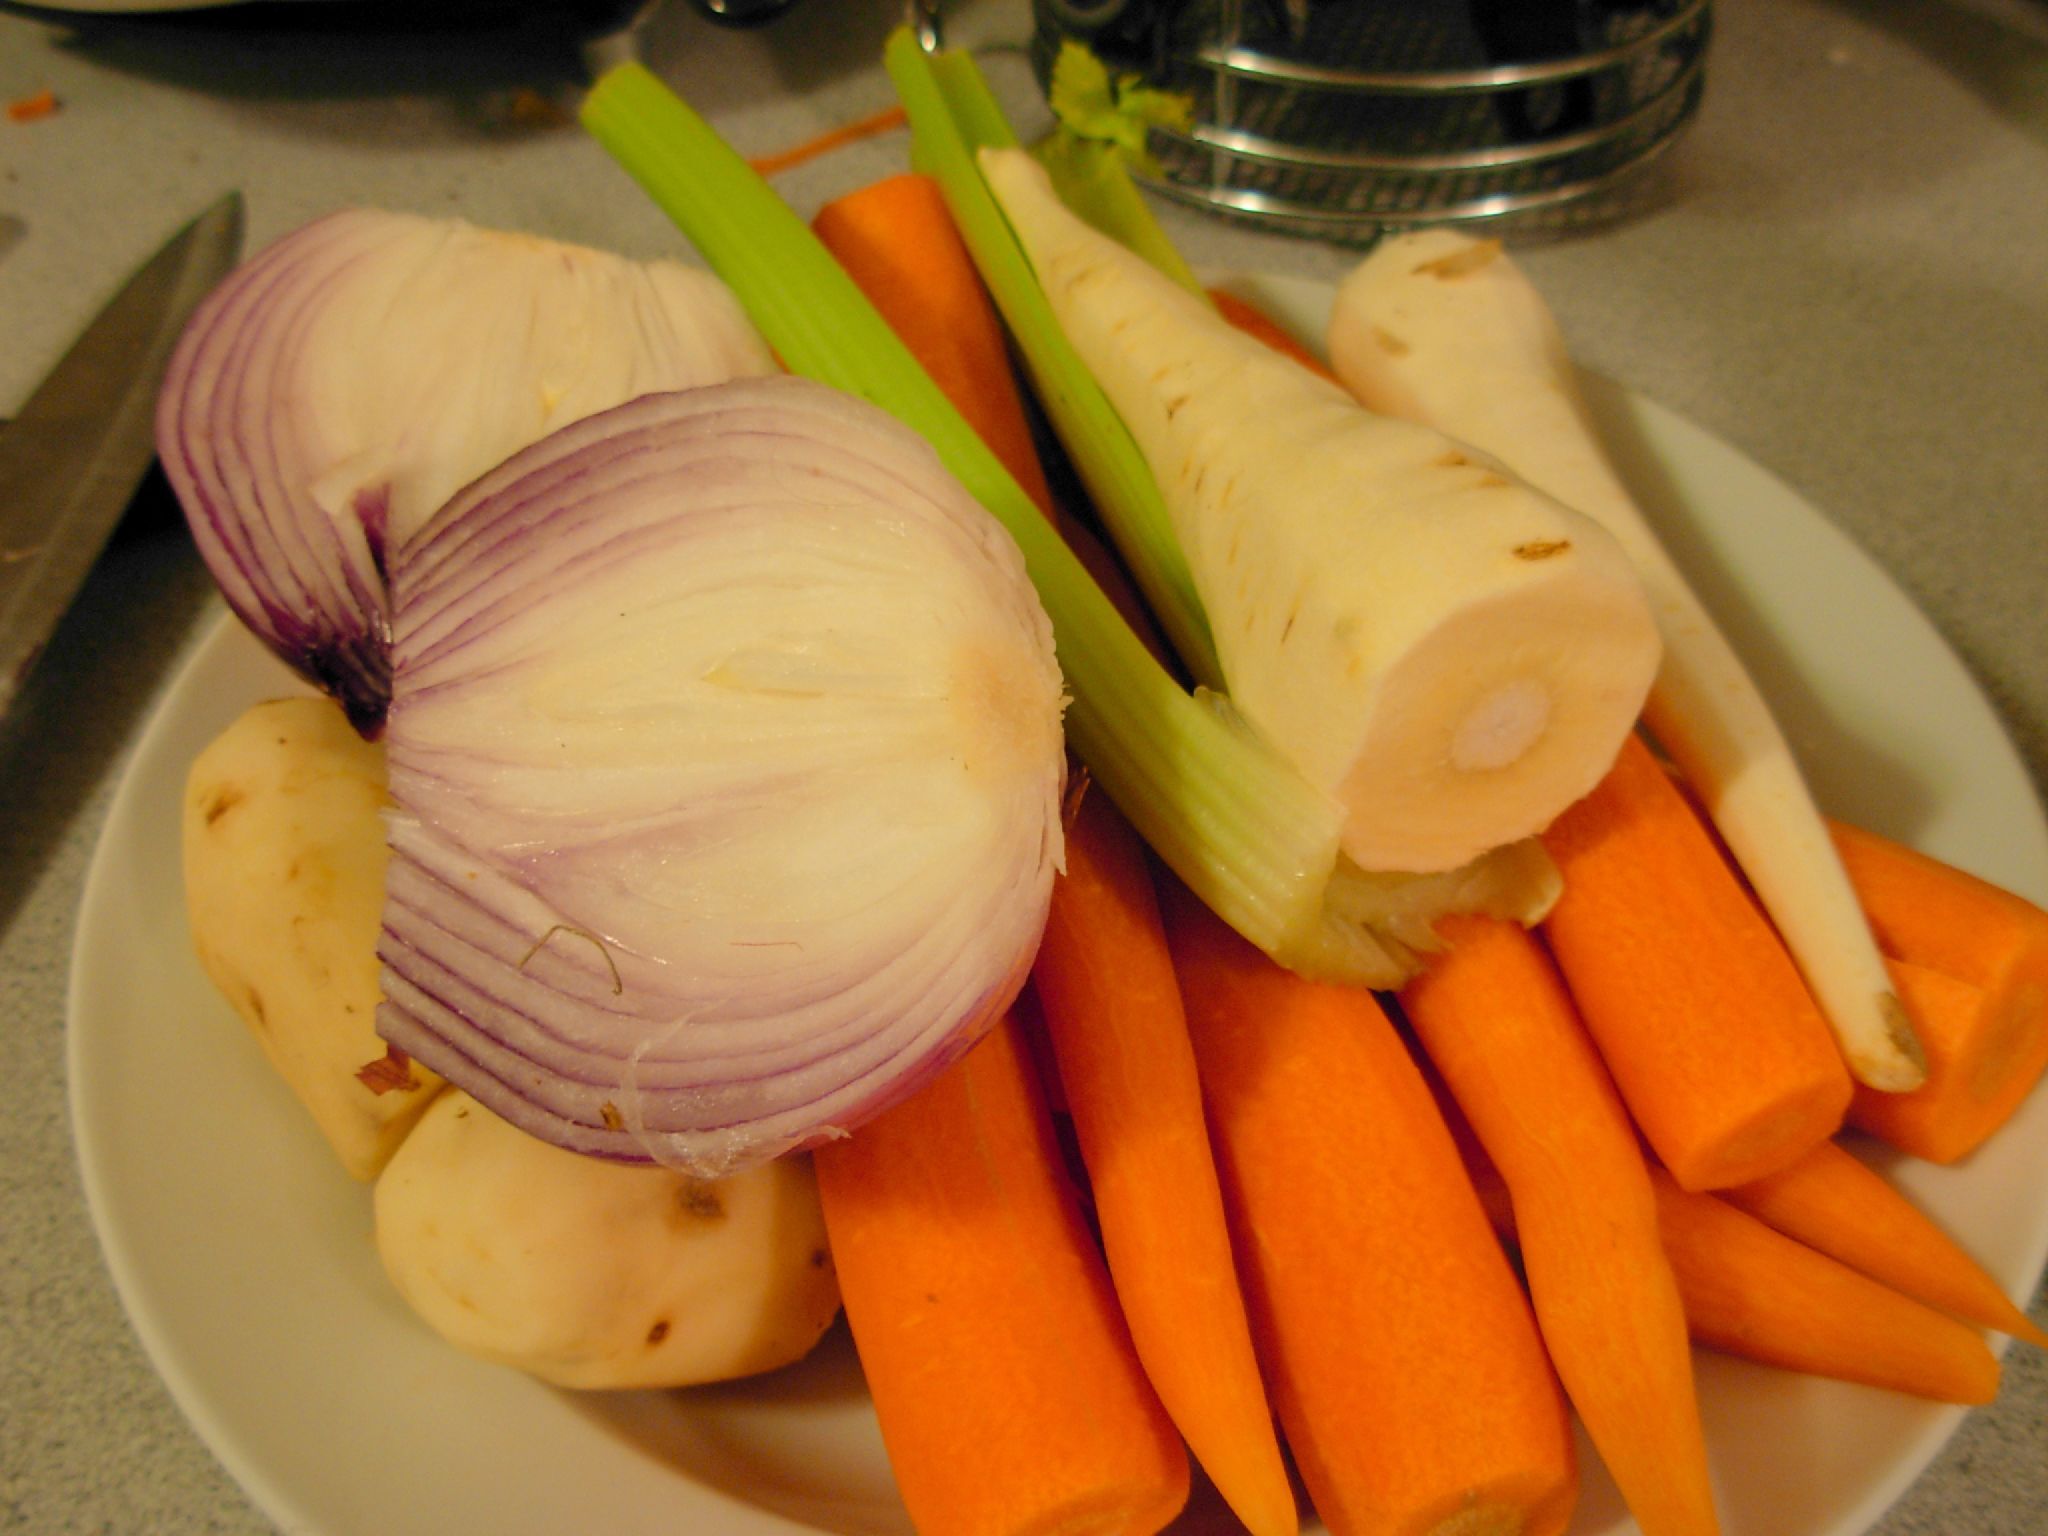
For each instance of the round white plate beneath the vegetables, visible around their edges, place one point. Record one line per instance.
(245, 1256)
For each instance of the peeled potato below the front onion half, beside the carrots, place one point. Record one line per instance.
(601, 1275)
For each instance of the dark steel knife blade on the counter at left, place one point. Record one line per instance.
(75, 456)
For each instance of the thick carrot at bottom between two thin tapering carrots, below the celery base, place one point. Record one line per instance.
(1398, 1345)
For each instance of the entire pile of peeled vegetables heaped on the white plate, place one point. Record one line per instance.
(1445, 1056)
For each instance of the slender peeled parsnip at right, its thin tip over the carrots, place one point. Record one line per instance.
(1445, 331)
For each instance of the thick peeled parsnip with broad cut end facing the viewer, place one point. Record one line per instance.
(1445, 650)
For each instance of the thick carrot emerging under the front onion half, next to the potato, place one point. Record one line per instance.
(1002, 1375)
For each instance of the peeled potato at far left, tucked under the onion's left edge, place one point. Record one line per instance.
(284, 888)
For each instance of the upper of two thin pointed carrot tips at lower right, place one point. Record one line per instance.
(1834, 1203)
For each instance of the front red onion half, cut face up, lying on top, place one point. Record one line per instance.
(726, 757)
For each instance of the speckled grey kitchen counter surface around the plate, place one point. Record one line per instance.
(1846, 278)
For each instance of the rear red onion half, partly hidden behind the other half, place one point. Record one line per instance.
(351, 378)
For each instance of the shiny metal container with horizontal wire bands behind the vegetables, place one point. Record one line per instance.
(1353, 118)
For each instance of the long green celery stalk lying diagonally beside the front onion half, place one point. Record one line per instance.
(1226, 812)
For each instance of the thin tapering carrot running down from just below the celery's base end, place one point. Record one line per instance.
(1494, 1017)
